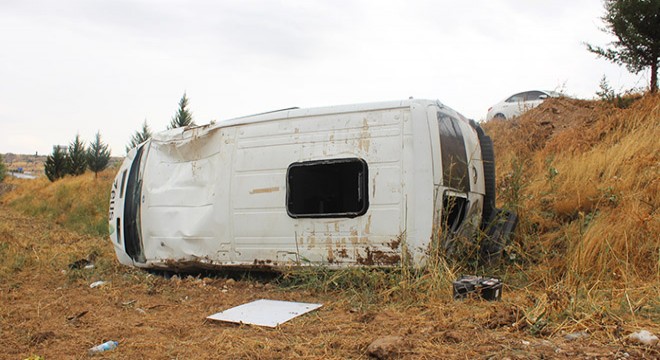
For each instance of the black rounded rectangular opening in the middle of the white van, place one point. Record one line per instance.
(327, 188)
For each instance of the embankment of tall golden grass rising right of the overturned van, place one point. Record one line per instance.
(583, 175)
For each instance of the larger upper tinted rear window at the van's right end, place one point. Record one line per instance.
(454, 158)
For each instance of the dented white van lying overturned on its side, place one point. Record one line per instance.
(369, 184)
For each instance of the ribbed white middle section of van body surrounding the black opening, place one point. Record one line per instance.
(263, 233)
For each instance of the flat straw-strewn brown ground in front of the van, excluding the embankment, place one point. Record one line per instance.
(49, 310)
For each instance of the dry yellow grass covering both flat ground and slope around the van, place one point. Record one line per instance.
(582, 175)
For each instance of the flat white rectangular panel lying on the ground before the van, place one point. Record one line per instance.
(264, 312)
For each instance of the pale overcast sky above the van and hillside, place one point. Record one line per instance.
(84, 66)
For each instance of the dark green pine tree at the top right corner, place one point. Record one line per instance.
(636, 25)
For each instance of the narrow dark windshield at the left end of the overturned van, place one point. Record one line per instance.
(132, 202)
